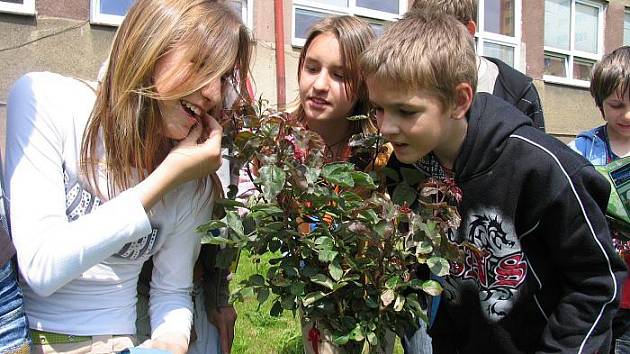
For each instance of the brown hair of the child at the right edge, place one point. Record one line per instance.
(610, 74)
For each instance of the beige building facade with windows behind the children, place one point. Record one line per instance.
(555, 42)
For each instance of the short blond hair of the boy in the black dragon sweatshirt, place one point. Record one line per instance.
(424, 51)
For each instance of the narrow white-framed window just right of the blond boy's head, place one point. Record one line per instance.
(498, 30)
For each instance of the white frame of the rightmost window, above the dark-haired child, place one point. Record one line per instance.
(572, 54)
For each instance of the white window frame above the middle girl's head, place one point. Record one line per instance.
(371, 16)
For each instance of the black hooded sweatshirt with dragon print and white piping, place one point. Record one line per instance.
(544, 276)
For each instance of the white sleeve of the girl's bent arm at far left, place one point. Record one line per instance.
(51, 250)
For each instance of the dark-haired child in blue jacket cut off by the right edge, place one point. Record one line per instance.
(610, 88)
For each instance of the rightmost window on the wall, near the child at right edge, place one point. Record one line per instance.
(573, 40)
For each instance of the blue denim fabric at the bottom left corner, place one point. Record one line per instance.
(13, 323)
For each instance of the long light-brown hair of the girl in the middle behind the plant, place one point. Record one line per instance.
(353, 35)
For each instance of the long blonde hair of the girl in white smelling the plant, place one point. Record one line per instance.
(126, 116)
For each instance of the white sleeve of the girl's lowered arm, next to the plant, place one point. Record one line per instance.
(172, 280)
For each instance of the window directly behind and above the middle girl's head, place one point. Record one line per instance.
(376, 12)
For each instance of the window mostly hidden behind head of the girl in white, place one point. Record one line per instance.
(112, 12)
